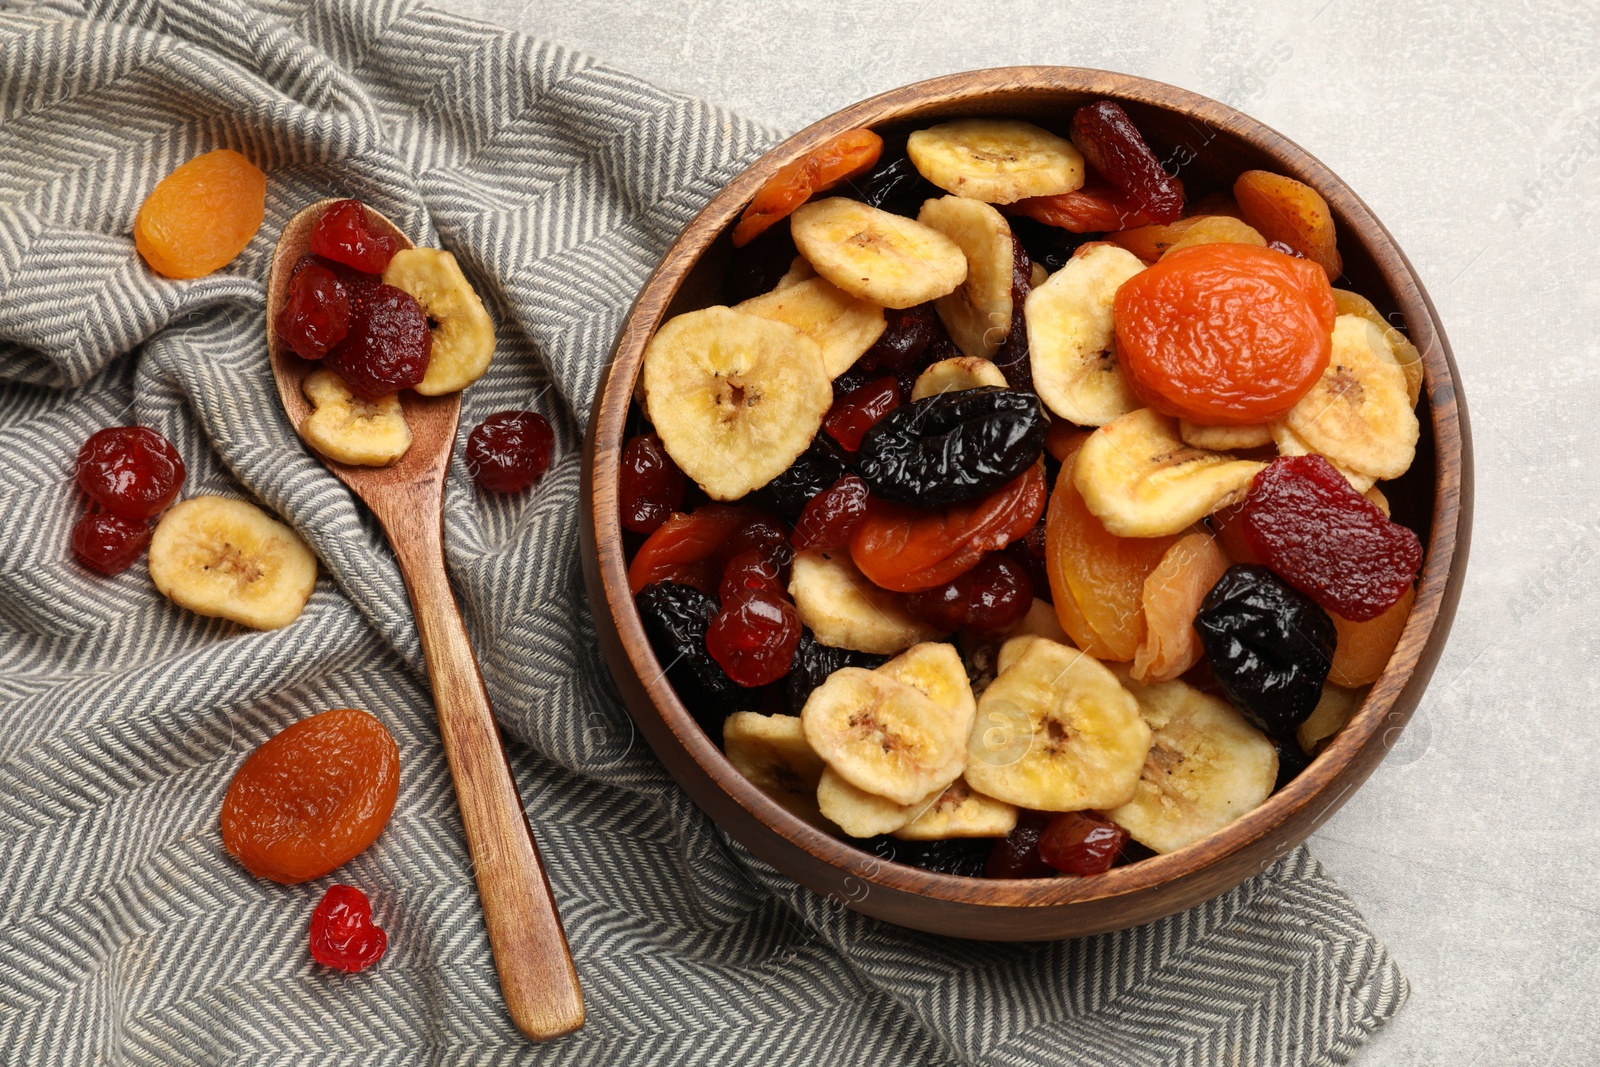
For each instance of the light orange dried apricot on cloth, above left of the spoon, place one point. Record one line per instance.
(202, 215)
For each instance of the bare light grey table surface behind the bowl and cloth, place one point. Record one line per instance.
(1474, 132)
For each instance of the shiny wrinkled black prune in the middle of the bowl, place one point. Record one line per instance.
(954, 447)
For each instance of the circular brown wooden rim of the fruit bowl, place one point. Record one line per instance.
(1380, 717)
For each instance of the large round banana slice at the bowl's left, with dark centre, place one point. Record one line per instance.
(735, 398)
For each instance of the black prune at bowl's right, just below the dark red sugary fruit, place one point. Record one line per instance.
(1270, 647)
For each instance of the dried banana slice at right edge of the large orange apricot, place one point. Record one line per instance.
(1359, 414)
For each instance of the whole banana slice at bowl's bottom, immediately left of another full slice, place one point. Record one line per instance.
(884, 737)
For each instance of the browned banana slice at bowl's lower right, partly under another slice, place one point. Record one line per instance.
(1206, 767)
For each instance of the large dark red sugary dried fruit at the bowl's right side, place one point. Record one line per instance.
(1329, 541)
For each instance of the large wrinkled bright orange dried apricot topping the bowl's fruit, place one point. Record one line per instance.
(1225, 335)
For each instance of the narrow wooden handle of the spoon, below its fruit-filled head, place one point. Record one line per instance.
(526, 932)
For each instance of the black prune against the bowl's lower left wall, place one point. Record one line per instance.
(676, 618)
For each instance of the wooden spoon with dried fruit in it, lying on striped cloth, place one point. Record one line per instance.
(526, 932)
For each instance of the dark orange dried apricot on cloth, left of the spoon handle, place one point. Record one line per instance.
(313, 797)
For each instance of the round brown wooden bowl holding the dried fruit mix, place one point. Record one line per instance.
(1212, 145)
